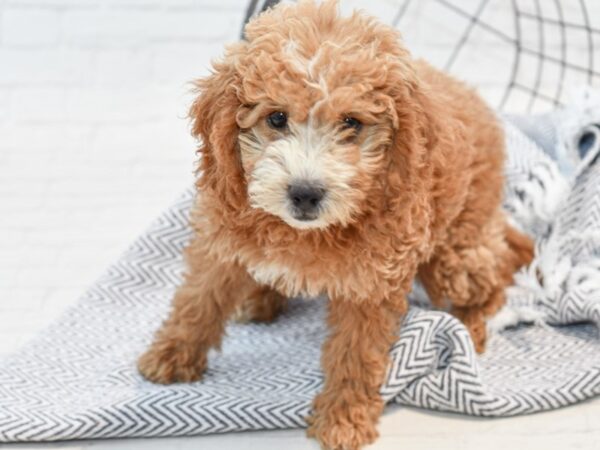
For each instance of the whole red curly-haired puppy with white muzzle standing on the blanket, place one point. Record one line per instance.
(333, 162)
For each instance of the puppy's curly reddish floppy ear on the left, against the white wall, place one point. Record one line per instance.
(213, 115)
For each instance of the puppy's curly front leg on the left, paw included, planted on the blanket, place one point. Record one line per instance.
(201, 307)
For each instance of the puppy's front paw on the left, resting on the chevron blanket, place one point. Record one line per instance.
(168, 362)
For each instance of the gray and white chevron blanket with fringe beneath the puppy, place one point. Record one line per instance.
(79, 380)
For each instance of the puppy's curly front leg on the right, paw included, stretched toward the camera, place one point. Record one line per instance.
(354, 360)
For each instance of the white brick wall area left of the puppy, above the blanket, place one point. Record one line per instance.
(93, 136)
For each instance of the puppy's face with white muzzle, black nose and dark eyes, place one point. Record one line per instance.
(312, 161)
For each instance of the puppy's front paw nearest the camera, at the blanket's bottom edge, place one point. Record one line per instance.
(341, 427)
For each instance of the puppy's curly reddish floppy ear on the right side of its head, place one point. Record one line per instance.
(426, 152)
